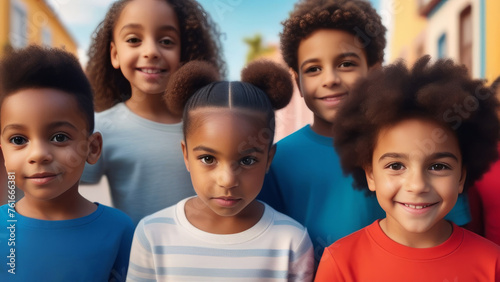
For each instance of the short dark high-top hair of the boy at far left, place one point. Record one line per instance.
(42, 67)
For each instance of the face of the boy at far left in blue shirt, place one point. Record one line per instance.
(45, 142)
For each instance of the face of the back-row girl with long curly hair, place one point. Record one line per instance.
(146, 45)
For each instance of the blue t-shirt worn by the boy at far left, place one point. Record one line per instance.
(95, 247)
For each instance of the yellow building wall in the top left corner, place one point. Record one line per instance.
(39, 16)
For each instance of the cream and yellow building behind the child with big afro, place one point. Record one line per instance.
(463, 30)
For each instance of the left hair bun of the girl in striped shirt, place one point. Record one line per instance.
(186, 81)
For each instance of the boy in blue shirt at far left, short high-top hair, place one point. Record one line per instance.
(46, 120)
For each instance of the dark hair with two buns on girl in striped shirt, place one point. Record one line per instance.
(265, 87)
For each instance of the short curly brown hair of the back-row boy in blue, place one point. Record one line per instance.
(357, 17)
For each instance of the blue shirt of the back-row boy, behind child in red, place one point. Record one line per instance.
(306, 182)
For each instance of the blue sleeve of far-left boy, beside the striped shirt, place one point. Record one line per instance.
(119, 272)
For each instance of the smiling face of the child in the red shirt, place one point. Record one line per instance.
(417, 175)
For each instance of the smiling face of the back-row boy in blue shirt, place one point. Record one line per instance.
(330, 61)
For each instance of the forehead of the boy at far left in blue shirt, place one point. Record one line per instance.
(39, 105)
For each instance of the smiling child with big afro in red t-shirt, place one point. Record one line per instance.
(400, 135)
